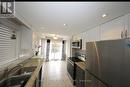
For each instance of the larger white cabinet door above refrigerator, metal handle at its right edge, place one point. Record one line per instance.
(112, 30)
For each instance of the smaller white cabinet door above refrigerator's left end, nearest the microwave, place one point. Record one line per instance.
(93, 34)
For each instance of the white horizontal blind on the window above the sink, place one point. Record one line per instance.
(7, 45)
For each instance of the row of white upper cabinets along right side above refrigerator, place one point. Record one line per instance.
(107, 31)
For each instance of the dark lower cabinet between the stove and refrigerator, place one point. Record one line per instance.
(80, 77)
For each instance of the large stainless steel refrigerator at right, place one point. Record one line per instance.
(108, 63)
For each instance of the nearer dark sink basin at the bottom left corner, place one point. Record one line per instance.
(15, 81)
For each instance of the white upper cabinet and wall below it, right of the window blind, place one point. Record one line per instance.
(25, 36)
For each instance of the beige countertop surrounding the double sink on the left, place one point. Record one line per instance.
(31, 62)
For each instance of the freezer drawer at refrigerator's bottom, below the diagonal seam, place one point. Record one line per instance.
(91, 81)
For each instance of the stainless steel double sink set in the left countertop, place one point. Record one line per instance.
(17, 76)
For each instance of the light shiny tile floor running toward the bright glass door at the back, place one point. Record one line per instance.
(55, 74)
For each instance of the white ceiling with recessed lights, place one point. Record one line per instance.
(50, 17)
